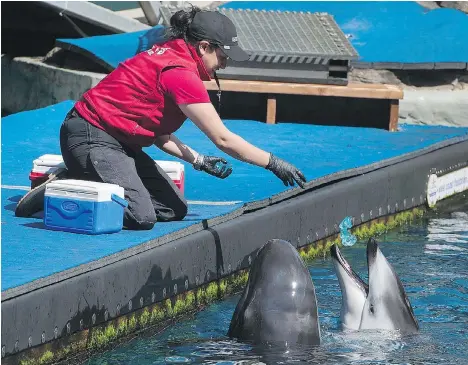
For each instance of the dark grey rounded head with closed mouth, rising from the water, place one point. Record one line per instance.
(278, 305)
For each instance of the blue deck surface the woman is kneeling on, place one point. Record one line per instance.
(29, 251)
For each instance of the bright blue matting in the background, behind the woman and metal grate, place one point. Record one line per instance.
(381, 31)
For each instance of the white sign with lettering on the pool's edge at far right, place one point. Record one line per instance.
(441, 187)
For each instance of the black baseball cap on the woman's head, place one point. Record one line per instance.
(218, 29)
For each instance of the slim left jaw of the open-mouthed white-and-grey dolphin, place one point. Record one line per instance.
(353, 289)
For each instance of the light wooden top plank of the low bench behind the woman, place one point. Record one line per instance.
(370, 91)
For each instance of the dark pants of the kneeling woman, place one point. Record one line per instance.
(91, 154)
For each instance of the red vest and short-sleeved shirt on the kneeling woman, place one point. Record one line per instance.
(138, 101)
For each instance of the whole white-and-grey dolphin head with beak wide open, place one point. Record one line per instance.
(382, 304)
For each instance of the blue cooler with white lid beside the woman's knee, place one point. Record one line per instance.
(84, 206)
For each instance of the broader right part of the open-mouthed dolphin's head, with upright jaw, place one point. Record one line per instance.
(387, 305)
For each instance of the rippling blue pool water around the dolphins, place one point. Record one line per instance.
(431, 258)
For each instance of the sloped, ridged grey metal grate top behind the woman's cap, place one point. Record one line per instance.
(277, 34)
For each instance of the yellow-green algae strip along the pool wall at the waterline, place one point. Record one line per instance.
(159, 315)
